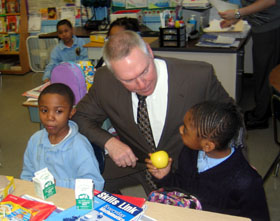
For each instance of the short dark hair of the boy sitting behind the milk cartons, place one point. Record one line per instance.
(61, 89)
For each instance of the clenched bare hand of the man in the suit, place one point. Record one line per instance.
(120, 153)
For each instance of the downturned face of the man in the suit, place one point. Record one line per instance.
(136, 72)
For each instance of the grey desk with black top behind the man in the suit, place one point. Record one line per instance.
(227, 62)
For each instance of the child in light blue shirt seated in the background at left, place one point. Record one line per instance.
(70, 48)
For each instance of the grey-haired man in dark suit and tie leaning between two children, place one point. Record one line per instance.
(172, 86)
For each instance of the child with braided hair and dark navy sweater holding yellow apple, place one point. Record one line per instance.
(212, 166)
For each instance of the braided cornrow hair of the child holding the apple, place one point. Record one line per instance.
(218, 122)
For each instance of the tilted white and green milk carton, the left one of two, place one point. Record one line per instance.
(44, 183)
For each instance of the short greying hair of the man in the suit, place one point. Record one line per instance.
(120, 45)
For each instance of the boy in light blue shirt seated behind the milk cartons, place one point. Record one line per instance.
(59, 146)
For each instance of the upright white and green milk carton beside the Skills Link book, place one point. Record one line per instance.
(84, 193)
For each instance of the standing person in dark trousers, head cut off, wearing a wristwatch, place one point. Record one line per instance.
(264, 18)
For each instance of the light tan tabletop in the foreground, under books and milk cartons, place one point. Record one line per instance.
(65, 198)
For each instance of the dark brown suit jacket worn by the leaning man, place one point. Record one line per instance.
(189, 82)
